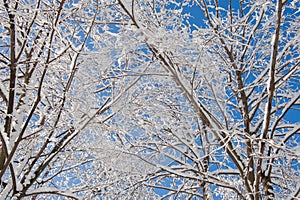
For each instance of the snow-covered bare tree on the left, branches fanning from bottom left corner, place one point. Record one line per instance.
(59, 79)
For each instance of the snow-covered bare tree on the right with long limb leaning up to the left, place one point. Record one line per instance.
(214, 111)
